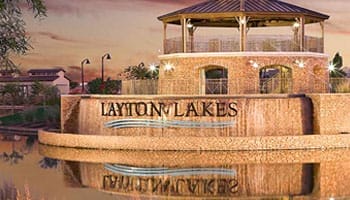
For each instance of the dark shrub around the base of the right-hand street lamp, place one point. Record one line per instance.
(110, 86)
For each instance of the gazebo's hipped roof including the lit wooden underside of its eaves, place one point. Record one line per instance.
(232, 8)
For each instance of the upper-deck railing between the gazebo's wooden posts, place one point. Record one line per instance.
(274, 43)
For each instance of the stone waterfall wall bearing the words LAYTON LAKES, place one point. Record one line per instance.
(240, 115)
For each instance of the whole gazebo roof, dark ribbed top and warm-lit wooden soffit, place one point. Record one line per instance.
(221, 13)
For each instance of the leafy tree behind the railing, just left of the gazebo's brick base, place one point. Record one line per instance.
(141, 72)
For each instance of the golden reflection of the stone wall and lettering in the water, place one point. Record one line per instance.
(291, 174)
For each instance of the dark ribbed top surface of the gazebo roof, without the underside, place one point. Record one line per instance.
(249, 6)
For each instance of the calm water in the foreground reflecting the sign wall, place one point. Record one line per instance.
(32, 171)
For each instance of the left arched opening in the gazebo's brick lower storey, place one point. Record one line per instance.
(214, 79)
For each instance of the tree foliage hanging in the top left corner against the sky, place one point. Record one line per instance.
(13, 37)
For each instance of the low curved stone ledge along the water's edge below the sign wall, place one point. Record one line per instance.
(195, 143)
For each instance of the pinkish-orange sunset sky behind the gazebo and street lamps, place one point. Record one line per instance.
(130, 31)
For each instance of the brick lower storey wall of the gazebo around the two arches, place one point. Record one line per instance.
(185, 78)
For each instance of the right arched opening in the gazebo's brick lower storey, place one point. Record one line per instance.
(276, 79)
